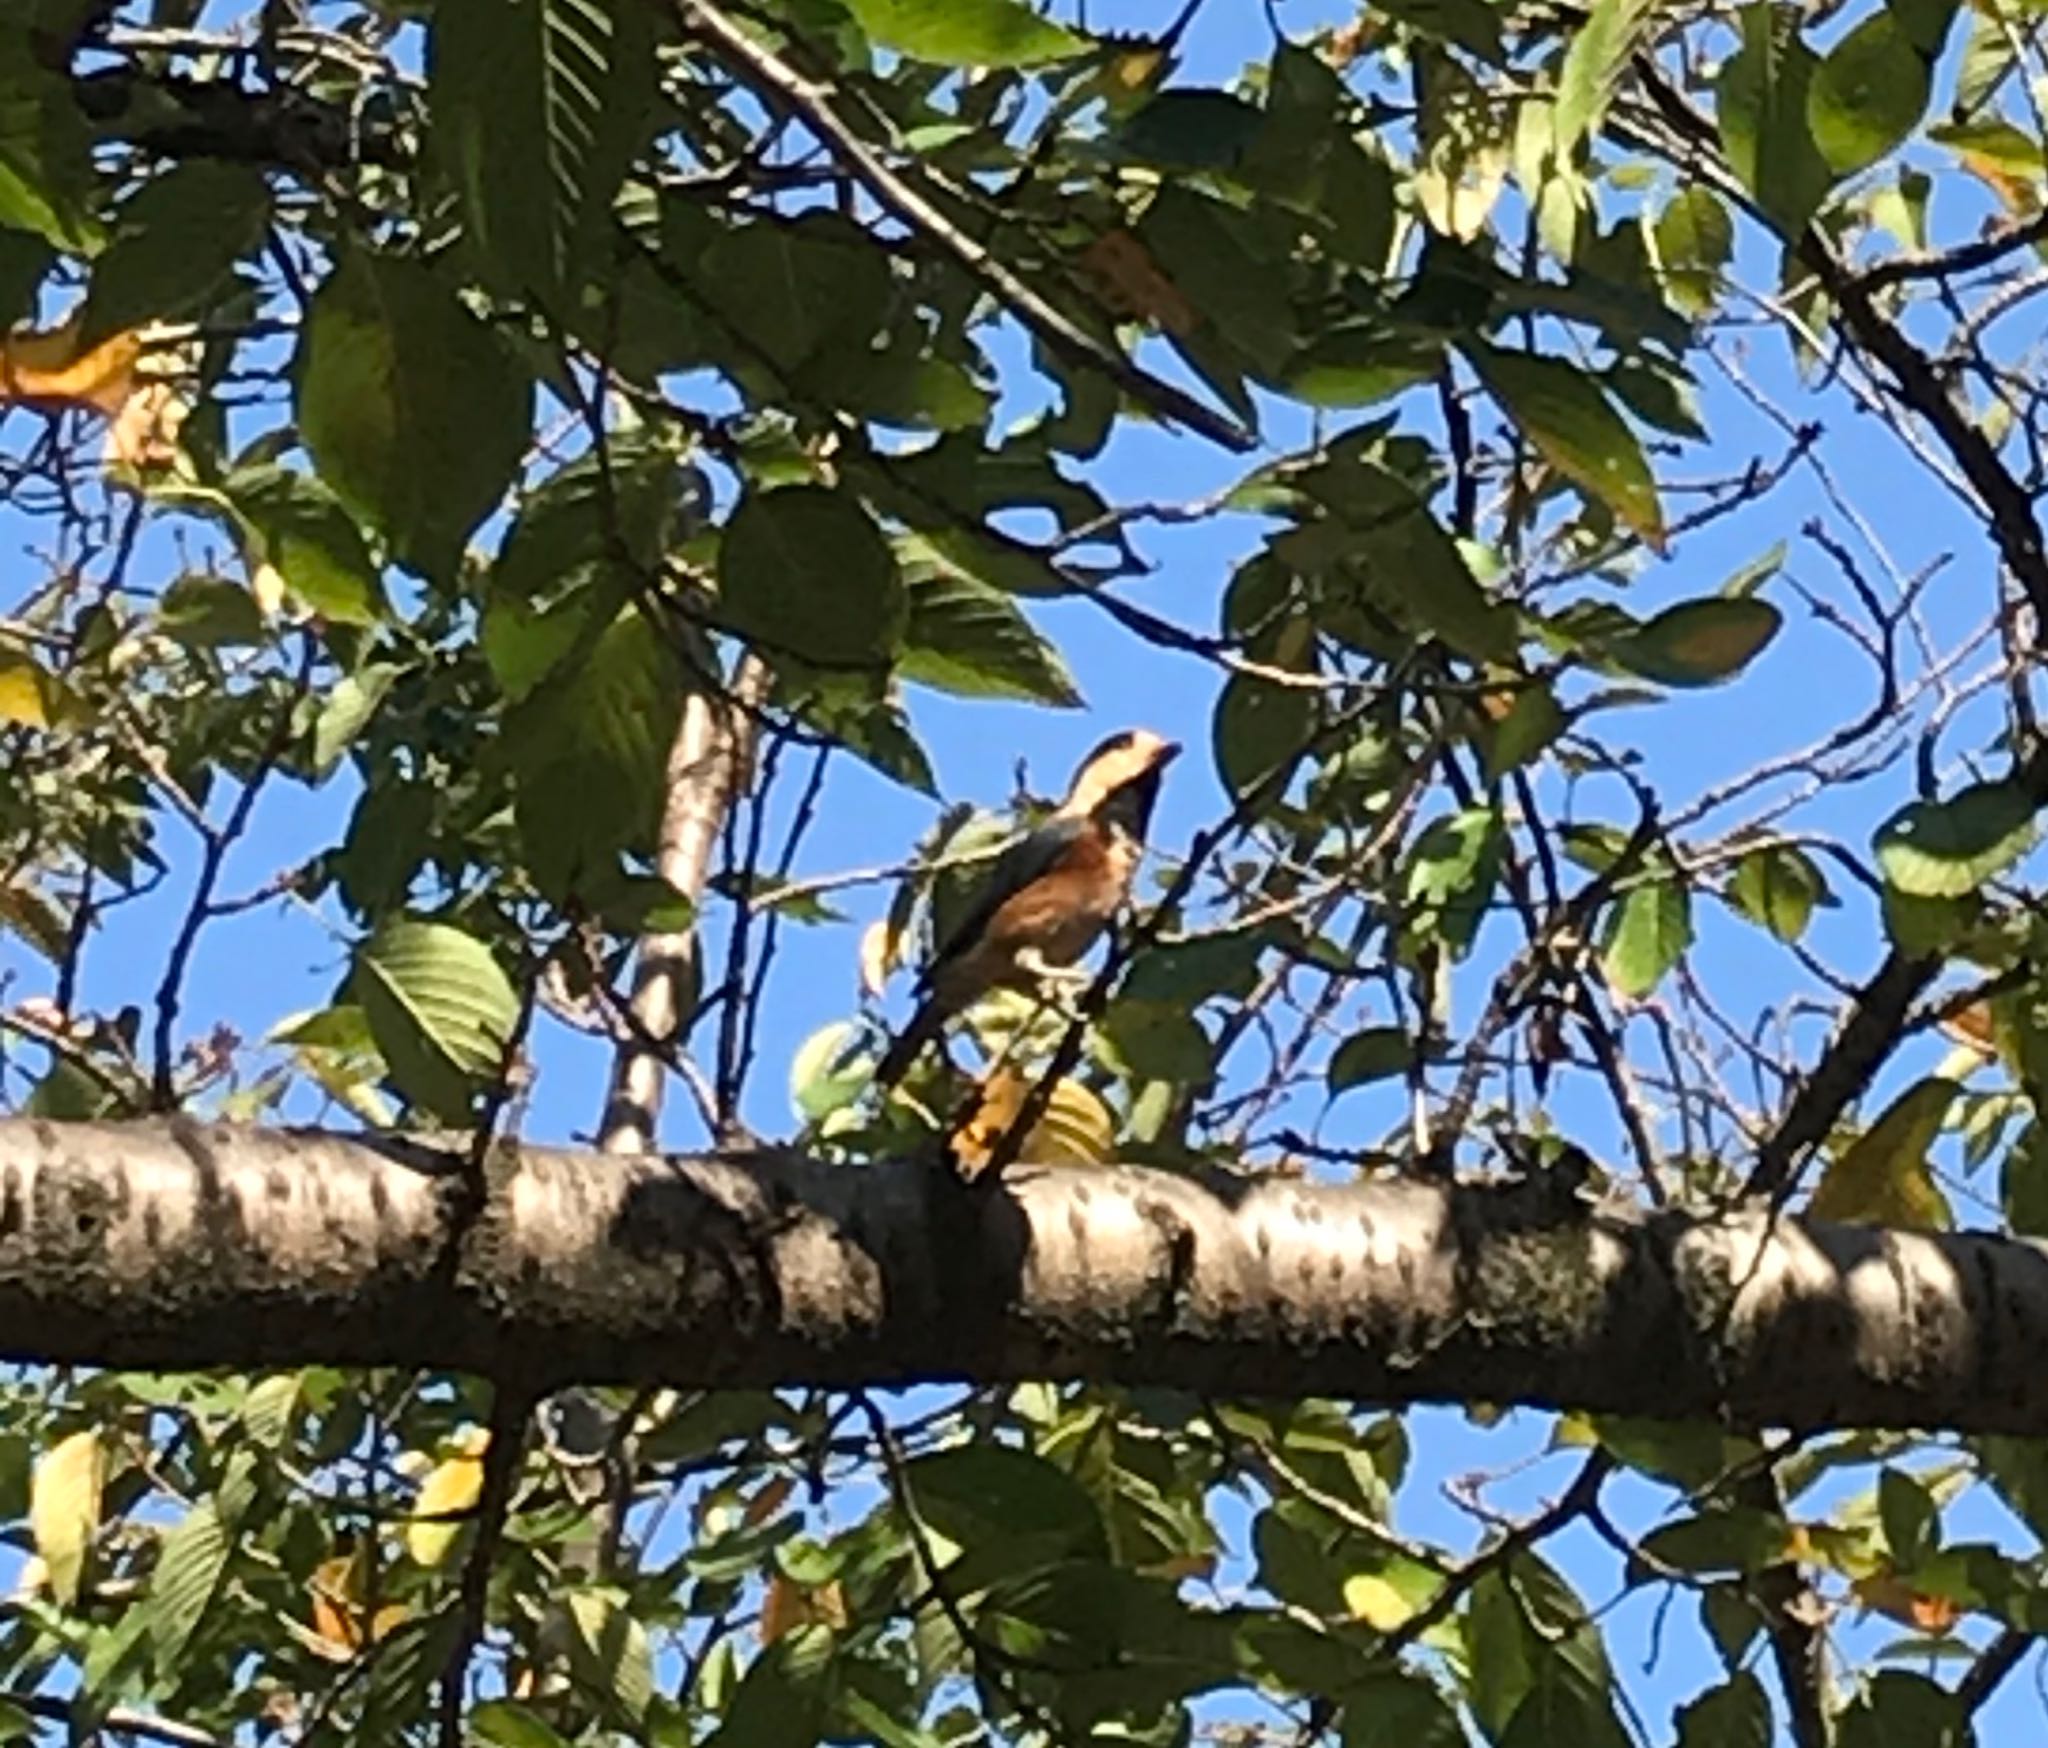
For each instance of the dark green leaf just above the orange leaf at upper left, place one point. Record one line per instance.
(175, 247)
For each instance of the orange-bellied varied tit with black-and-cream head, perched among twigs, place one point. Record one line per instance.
(1050, 895)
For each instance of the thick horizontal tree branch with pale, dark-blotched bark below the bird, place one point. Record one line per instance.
(187, 1246)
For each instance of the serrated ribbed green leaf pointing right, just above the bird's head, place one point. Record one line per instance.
(972, 640)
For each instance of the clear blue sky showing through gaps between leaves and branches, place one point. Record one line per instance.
(280, 959)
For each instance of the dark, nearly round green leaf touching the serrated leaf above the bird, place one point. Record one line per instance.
(806, 570)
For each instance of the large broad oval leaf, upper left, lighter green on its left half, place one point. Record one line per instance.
(415, 412)
